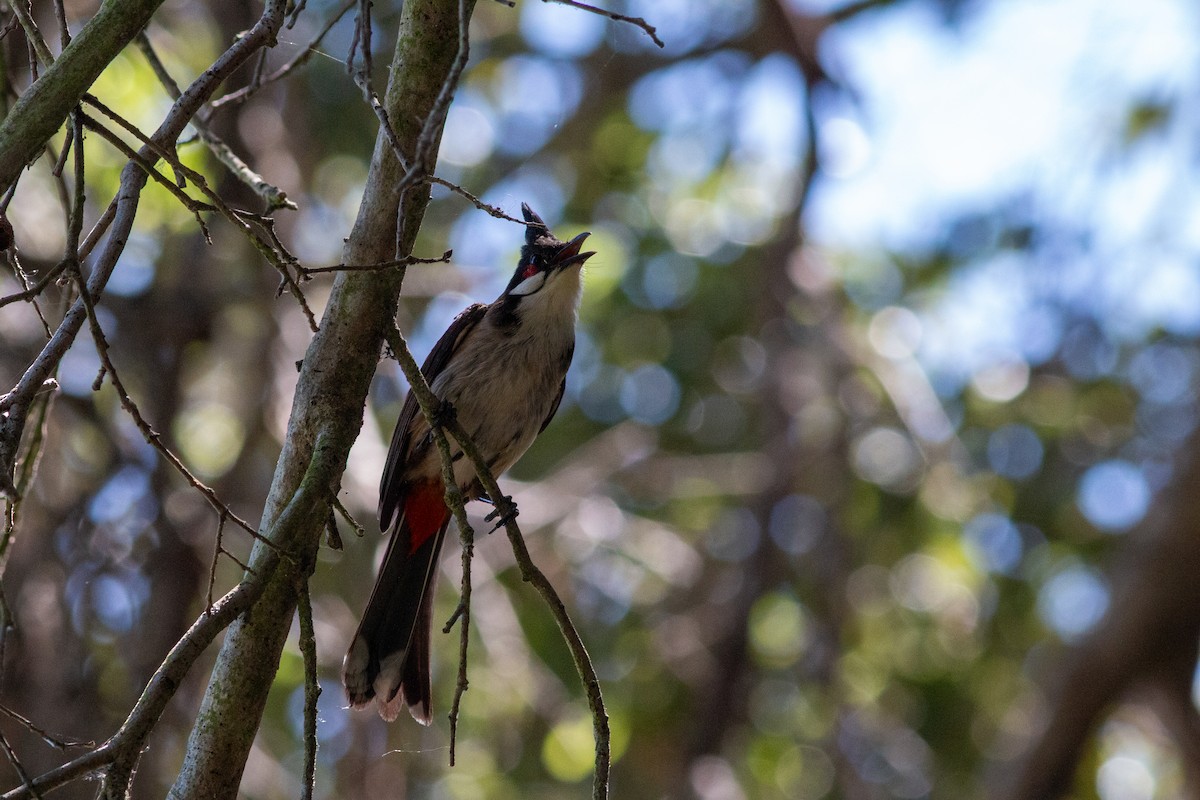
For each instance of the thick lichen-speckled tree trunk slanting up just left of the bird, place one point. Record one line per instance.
(327, 411)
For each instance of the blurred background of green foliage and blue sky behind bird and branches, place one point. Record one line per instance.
(887, 364)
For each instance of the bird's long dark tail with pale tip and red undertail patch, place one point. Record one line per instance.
(389, 657)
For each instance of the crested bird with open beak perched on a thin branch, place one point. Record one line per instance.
(502, 369)
